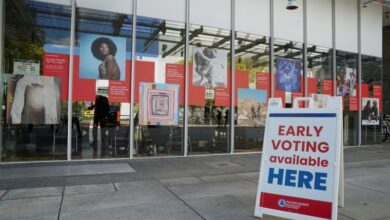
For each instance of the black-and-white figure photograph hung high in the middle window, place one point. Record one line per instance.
(209, 67)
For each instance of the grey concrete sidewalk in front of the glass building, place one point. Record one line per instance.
(208, 187)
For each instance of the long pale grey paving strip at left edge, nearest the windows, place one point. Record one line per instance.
(64, 170)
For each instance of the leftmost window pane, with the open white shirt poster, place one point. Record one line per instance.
(34, 116)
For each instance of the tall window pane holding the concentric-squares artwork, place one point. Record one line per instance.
(159, 88)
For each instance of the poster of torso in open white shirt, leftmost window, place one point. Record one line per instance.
(33, 100)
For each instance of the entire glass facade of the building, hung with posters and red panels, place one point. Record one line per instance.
(182, 95)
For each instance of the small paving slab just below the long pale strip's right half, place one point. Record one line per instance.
(92, 188)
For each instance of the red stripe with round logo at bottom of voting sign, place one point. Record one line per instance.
(296, 205)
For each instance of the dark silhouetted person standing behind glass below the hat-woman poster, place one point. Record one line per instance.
(102, 109)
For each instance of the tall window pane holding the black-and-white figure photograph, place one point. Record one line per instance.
(209, 90)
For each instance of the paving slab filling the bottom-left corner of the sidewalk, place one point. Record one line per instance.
(32, 208)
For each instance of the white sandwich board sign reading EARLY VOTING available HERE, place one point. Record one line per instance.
(300, 171)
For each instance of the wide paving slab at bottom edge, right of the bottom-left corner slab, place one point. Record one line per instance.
(162, 211)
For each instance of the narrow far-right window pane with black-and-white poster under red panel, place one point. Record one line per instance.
(371, 102)
